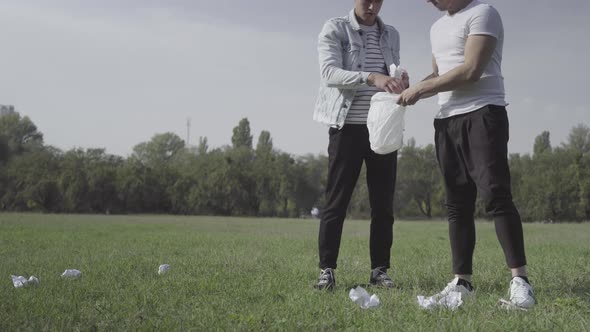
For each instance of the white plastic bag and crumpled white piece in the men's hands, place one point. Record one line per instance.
(386, 120)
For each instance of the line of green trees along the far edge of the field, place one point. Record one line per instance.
(164, 175)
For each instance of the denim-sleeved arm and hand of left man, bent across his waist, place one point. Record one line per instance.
(331, 64)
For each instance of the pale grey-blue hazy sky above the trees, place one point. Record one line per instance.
(112, 73)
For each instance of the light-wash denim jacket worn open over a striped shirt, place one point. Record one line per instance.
(342, 58)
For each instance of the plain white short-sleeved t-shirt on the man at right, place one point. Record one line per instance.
(448, 37)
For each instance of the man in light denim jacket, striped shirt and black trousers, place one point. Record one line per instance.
(355, 53)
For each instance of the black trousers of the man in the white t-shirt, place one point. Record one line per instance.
(472, 153)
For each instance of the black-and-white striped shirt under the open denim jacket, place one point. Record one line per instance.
(374, 63)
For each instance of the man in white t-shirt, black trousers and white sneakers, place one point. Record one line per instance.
(471, 136)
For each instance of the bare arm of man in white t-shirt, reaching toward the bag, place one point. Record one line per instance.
(478, 52)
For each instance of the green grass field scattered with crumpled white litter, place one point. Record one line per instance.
(257, 274)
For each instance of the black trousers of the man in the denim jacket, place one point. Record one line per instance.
(347, 149)
